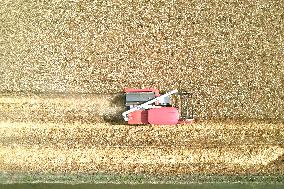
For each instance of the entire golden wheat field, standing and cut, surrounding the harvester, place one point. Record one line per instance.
(64, 63)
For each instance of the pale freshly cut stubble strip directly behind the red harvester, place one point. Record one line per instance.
(57, 107)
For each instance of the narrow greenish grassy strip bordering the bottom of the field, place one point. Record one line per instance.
(103, 178)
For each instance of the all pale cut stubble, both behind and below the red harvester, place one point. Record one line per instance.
(89, 145)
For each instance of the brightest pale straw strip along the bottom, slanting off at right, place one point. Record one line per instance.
(138, 160)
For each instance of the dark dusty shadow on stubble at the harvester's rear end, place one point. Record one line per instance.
(116, 118)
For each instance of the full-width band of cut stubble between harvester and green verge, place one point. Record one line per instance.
(61, 148)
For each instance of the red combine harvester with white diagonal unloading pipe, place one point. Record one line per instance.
(148, 106)
